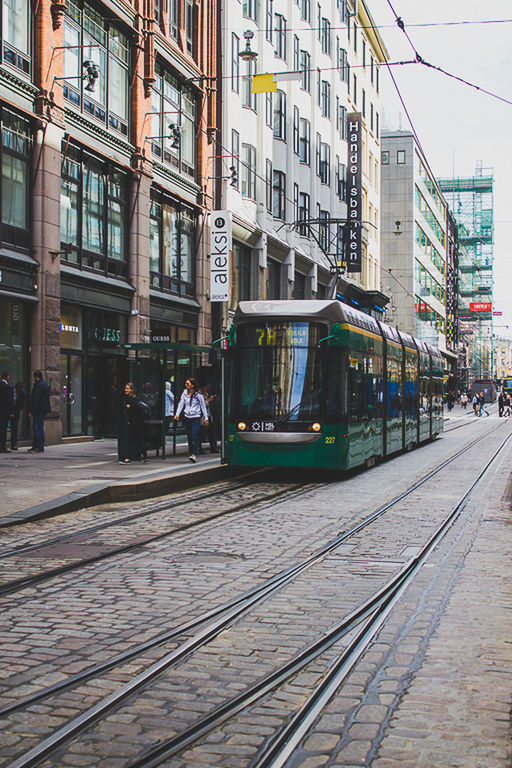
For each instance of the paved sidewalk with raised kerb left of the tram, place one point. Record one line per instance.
(70, 475)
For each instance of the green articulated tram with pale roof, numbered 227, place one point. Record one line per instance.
(319, 384)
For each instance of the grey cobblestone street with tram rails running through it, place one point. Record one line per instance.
(431, 686)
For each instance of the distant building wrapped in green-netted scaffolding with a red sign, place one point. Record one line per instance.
(471, 202)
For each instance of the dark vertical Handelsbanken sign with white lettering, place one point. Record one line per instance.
(354, 200)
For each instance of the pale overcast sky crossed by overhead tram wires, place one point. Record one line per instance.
(458, 126)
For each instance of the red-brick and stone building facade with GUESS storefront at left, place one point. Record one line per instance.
(108, 122)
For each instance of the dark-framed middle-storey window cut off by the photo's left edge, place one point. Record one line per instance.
(15, 153)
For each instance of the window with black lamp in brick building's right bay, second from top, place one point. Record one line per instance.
(173, 124)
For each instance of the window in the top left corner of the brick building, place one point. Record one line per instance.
(16, 34)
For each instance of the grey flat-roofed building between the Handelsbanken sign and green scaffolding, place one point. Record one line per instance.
(414, 243)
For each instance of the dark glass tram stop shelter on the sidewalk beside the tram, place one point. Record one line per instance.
(159, 371)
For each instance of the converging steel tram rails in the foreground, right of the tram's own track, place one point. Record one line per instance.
(221, 618)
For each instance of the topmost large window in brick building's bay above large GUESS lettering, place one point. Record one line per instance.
(91, 38)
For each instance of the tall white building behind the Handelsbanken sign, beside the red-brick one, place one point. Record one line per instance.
(284, 154)
